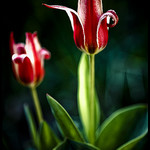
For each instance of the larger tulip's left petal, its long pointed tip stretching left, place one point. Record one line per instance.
(77, 26)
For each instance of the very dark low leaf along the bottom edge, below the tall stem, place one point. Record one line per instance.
(72, 145)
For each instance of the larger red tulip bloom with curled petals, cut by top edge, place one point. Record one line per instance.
(89, 24)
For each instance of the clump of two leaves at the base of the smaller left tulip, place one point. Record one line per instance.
(44, 138)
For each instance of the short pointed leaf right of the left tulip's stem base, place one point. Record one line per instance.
(47, 137)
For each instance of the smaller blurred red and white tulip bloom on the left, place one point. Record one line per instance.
(28, 60)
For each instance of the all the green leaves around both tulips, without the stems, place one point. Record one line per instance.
(122, 130)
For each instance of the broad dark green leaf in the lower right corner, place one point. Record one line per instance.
(124, 128)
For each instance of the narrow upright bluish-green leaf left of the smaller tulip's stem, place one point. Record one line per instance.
(31, 124)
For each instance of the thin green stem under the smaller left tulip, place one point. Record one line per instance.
(37, 104)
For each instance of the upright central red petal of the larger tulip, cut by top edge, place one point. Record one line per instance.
(89, 12)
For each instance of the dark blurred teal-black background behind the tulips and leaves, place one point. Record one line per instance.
(121, 69)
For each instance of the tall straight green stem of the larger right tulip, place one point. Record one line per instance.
(91, 94)
